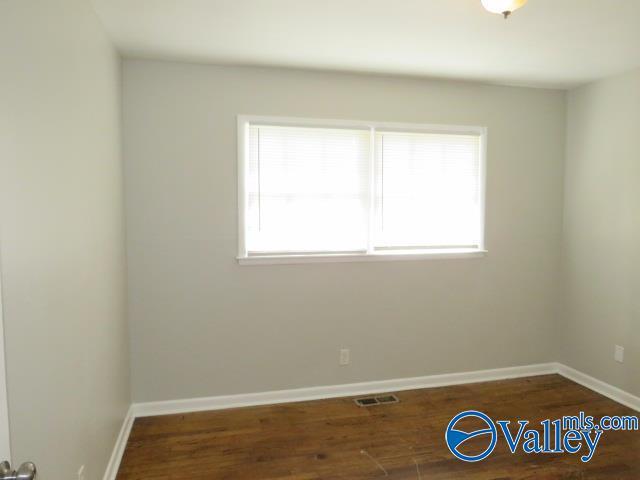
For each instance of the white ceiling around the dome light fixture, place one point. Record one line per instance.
(555, 43)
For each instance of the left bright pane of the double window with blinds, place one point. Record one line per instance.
(308, 189)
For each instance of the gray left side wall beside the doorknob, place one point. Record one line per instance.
(61, 212)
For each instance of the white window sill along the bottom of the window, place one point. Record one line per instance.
(362, 257)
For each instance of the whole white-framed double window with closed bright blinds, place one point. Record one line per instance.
(317, 190)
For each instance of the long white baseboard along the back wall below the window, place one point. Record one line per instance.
(318, 393)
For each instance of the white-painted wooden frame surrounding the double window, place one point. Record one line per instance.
(244, 121)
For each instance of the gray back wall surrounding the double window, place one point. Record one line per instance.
(202, 325)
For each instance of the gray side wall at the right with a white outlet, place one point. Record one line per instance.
(602, 231)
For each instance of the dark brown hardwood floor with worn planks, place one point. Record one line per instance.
(335, 439)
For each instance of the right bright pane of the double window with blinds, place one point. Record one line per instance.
(427, 190)
